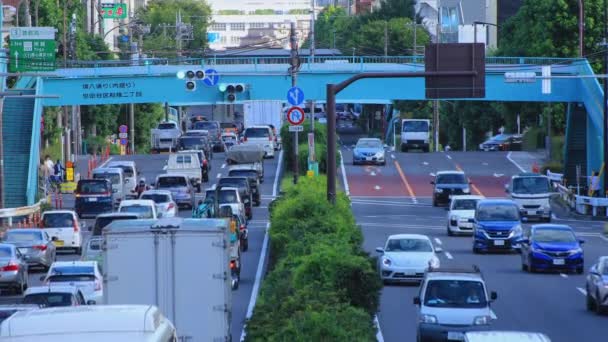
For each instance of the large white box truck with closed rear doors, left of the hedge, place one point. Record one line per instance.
(179, 265)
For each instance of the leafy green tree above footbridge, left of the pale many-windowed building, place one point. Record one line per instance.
(161, 42)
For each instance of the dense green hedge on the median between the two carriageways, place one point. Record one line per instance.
(321, 285)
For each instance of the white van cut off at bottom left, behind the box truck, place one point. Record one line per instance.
(91, 323)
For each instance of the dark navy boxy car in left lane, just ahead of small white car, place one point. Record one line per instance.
(93, 197)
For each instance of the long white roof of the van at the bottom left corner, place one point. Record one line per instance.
(81, 319)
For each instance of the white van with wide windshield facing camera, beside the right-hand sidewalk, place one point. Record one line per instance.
(532, 193)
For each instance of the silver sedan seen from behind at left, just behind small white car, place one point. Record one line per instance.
(35, 244)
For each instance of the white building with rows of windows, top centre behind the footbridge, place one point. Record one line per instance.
(257, 23)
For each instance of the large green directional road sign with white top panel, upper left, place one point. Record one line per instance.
(32, 49)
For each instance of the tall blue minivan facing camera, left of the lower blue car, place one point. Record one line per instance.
(497, 226)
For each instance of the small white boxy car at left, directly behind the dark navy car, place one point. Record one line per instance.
(65, 226)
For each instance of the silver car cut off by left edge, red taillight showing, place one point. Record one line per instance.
(13, 269)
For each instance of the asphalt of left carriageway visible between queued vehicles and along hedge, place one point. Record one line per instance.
(152, 165)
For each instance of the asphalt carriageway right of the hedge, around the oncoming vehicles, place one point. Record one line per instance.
(396, 199)
